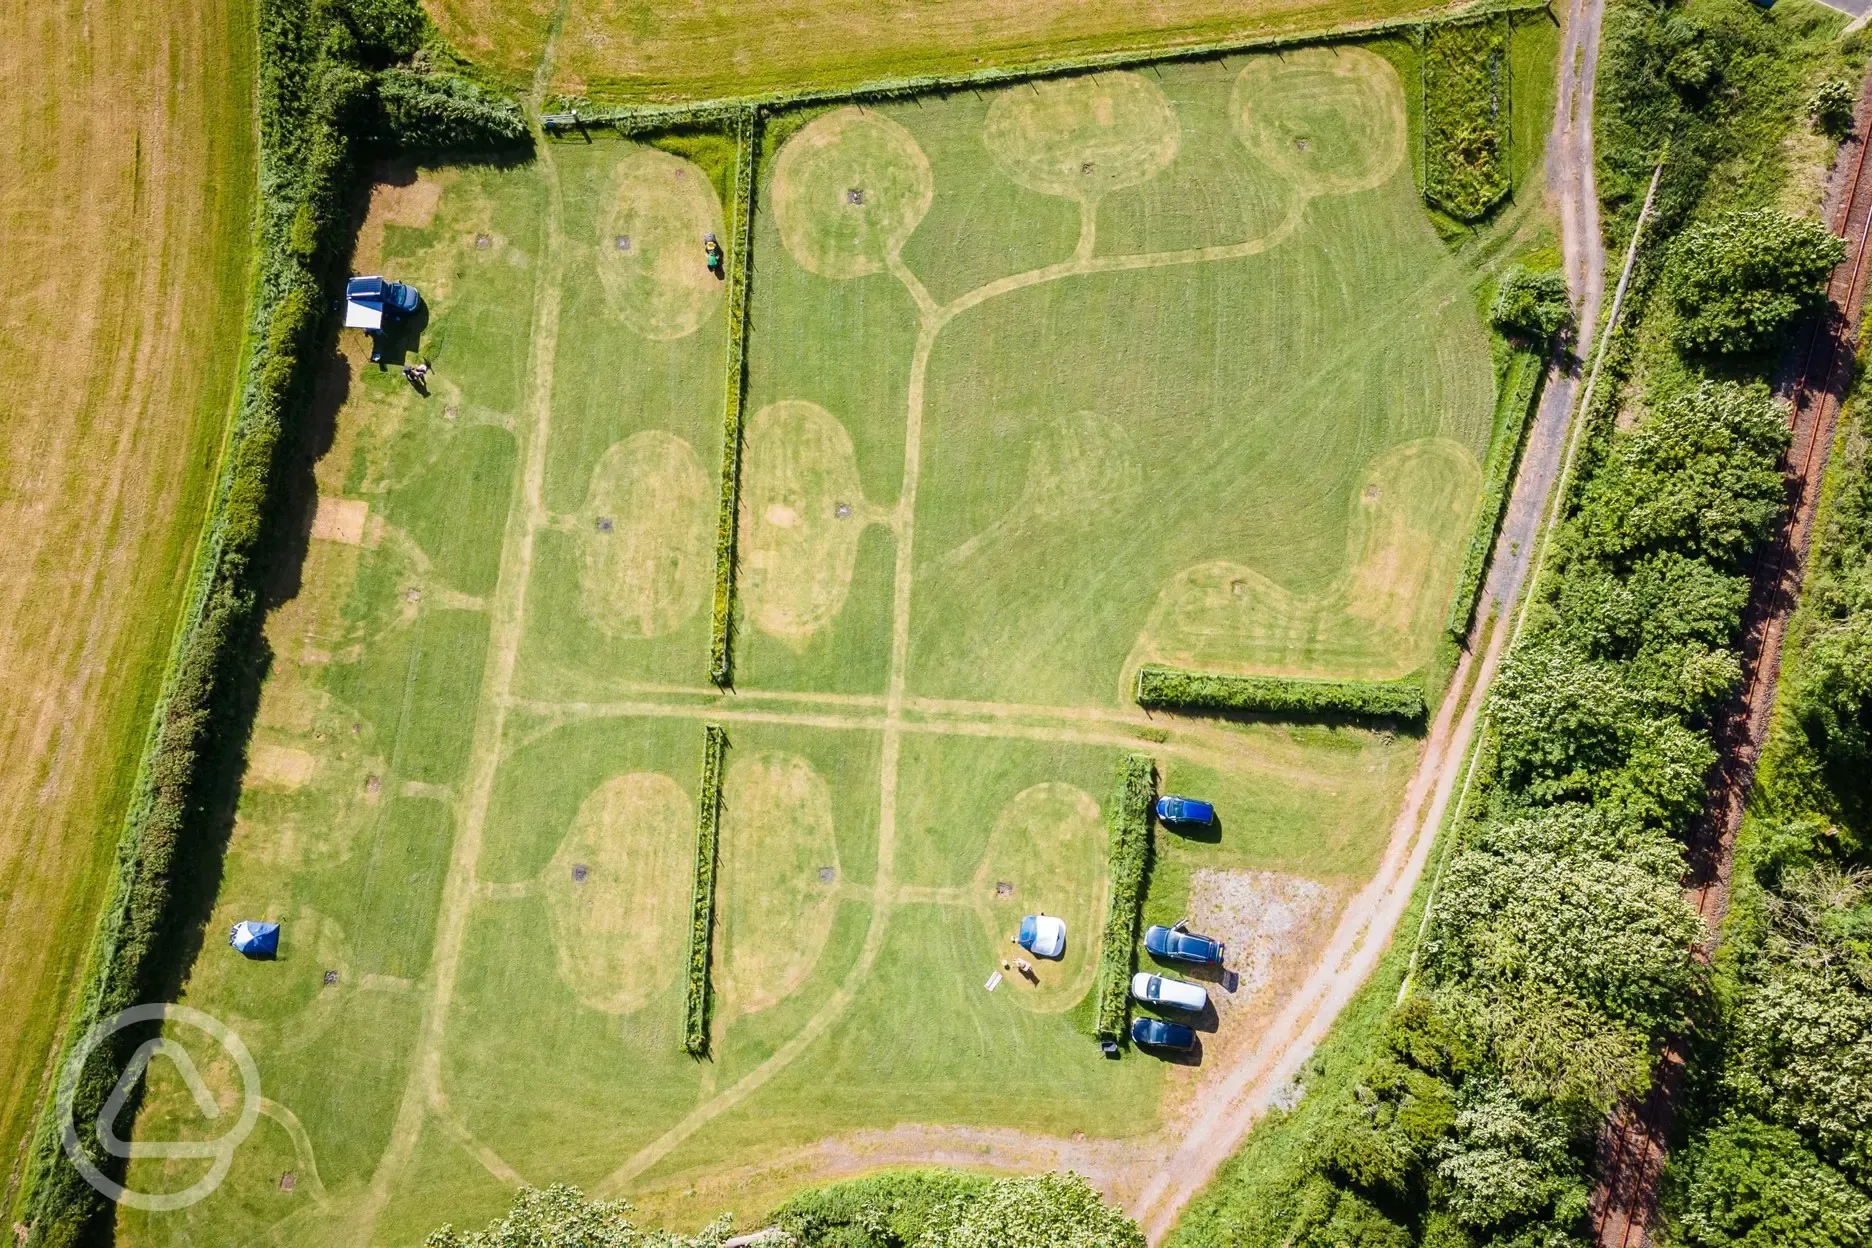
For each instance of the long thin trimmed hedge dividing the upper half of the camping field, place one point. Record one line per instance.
(735, 394)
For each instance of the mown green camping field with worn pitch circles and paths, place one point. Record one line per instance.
(1046, 383)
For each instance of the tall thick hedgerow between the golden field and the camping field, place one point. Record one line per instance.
(338, 81)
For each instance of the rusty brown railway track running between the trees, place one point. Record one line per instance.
(1631, 1148)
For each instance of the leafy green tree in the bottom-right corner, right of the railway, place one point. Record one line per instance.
(1753, 1185)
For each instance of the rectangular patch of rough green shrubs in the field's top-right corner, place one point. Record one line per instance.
(1467, 117)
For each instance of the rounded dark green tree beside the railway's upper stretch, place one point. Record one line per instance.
(1746, 280)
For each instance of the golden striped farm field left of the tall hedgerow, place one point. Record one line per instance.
(126, 182)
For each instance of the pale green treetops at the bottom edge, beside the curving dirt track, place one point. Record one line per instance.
(950, 1210)
